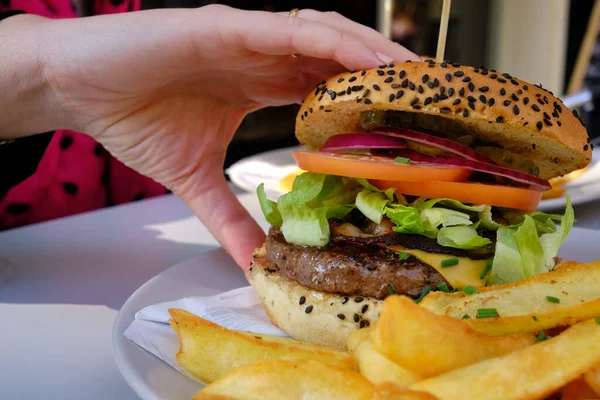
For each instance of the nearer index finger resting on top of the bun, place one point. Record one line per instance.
(254, 31)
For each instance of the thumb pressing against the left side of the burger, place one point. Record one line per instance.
(228, 221)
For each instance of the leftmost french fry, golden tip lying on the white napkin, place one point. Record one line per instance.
(209, 351)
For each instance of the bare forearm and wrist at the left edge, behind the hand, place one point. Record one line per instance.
(27, 103)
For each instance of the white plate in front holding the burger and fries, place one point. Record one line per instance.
(211, 273)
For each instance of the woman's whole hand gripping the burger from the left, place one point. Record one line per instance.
(164, 91)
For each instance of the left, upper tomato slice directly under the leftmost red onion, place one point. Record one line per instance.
(374, 167)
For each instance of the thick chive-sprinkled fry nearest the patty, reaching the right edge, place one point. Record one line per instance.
(523, 306)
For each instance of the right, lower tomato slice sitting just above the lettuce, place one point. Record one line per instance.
(468, 192)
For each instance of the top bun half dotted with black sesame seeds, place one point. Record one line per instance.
(497, 108)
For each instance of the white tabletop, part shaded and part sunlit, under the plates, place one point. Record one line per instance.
(72, 275)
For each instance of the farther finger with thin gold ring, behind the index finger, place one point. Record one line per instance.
(386, 50)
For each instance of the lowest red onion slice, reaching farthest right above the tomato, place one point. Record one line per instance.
(418, 158)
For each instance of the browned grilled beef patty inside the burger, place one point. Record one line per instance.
(353, 269)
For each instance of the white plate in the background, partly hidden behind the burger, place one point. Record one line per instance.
(272, 166)
